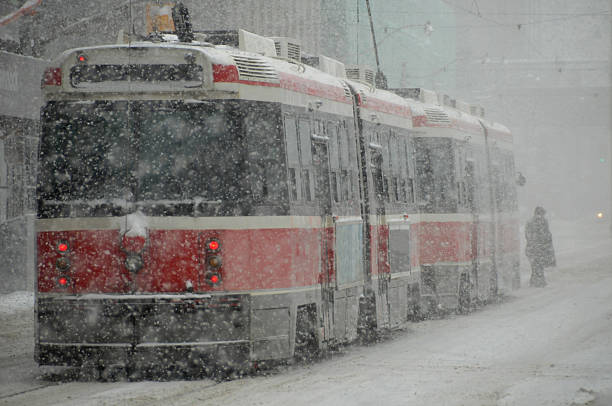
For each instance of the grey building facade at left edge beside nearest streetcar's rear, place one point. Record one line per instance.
(19, 110)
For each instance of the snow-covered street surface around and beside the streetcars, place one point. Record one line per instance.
(546, 346)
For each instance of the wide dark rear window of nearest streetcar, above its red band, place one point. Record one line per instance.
(105, 153)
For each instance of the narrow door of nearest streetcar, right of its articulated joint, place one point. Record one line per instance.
(379, 240)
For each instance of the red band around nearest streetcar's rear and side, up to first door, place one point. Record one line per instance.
(252, 260)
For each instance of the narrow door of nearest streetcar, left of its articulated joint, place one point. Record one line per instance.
(323, 196)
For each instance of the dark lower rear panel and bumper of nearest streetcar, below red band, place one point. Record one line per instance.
(143, 329)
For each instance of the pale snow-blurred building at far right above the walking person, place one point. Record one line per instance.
(543, 68)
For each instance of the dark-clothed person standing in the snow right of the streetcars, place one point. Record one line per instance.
(539, 249)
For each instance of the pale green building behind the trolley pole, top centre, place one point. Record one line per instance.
(416, 40)
